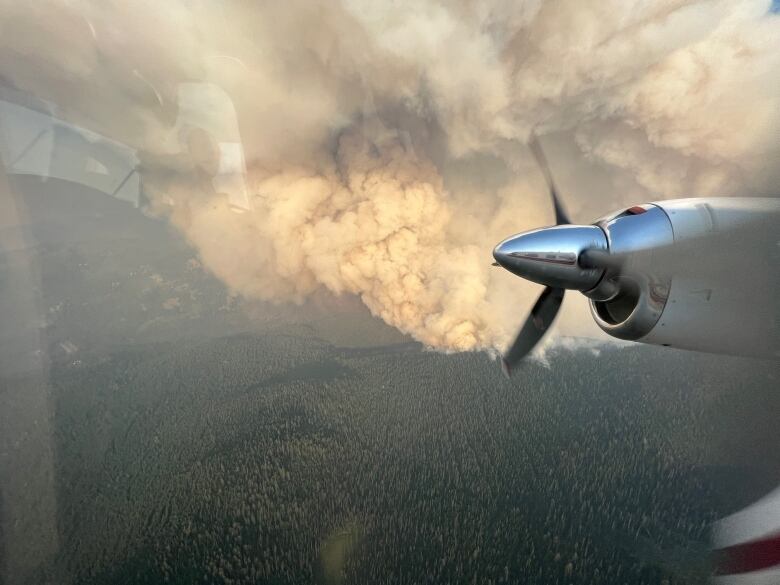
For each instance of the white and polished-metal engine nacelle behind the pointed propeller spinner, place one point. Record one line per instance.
(699, 274)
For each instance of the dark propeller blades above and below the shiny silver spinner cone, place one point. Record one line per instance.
(549, 302)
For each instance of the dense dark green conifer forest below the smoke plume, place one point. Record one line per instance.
(285, 459)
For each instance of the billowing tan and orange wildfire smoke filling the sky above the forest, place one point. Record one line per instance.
(385, 140)
